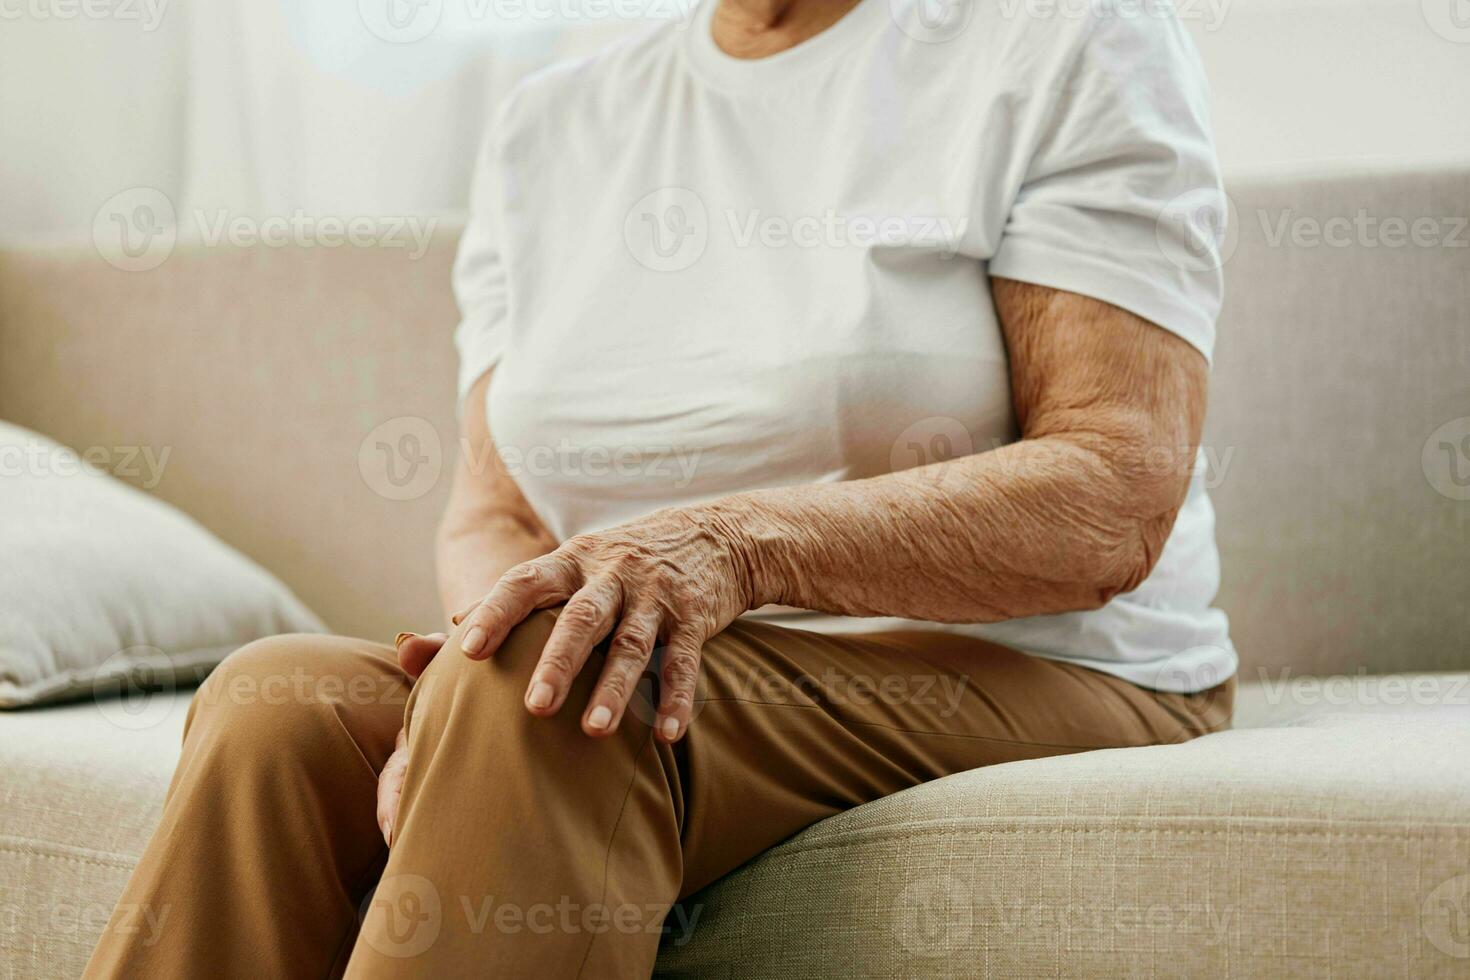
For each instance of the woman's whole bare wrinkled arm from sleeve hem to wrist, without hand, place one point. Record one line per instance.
(1077, 512)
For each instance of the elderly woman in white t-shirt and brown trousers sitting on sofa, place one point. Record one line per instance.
(833, 386)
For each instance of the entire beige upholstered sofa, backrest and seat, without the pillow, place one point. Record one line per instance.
(1327, 835)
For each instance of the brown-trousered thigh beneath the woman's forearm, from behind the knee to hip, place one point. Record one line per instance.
(795, 727)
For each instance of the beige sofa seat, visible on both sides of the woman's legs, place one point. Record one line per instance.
(1327, 844)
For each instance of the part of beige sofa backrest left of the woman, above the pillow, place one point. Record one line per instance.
(265, 375)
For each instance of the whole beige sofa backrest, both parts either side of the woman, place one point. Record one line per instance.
(305, 402)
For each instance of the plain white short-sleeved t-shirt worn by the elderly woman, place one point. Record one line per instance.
(699, 275)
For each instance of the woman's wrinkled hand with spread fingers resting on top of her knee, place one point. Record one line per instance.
(670, 581)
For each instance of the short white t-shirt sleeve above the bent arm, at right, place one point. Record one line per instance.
(1122, 198)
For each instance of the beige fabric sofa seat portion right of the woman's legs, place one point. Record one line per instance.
(1340, 847)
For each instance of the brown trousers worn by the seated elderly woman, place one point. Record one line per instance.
(527, 849)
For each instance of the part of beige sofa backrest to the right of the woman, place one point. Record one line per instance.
(1340, 417)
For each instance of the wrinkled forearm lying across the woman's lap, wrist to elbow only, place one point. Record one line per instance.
(1039, 527)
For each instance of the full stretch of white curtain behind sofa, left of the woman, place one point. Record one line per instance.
(264, 108)
